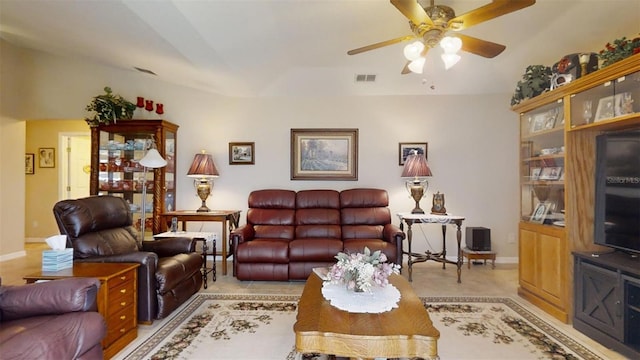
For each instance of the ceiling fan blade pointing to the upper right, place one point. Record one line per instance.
(487, 12)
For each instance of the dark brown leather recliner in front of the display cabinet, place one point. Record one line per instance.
(100, 229)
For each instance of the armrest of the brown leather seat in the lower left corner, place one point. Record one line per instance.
(49, 298)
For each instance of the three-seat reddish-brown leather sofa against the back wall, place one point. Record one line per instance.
(288, 233)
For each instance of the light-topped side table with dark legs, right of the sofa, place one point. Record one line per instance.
(411, 219)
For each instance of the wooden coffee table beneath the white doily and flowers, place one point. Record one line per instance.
(405, 331)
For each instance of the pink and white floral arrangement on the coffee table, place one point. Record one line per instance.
(362, 271)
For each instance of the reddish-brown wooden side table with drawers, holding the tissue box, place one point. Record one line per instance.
(117, 298)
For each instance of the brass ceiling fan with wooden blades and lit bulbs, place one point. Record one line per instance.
(431, 24)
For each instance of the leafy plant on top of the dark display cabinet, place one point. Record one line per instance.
(108, 108)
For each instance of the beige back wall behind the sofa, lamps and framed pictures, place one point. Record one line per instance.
(473, 141)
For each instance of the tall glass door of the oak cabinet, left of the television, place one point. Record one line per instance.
(542, 164)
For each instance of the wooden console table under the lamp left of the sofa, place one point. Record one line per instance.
(228, 218)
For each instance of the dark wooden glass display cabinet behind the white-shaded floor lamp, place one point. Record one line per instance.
(116, 150)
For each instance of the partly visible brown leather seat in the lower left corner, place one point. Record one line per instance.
(52, 320)
